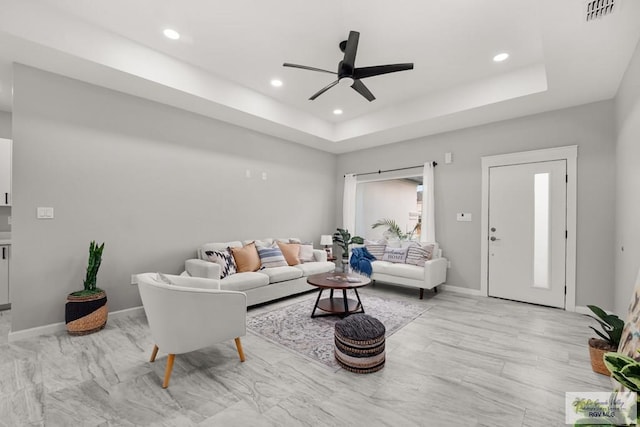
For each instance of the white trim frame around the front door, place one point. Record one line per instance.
(568, 153)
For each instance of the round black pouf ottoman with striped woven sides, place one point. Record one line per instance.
(359, 342)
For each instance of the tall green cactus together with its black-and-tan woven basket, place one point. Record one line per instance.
(86, 310)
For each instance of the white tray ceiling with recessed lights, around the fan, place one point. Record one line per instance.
(229, 51)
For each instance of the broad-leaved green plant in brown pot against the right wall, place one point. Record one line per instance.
(609, 340)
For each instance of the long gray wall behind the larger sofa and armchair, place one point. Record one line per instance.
(151, 181)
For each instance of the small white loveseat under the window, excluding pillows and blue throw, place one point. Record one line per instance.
(429, 276)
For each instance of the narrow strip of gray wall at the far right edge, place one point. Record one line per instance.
(628, 184)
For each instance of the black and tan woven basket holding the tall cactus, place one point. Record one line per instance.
(86, 314)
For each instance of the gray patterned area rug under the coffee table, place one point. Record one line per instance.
(292, 326)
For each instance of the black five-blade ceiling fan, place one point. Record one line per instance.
(348, 71)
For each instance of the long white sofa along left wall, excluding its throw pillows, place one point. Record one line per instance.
(264, 285)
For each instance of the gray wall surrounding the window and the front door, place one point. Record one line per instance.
(458, 186)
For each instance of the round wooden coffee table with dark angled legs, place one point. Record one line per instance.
(342, 306)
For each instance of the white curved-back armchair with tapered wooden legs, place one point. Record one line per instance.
(188, 313)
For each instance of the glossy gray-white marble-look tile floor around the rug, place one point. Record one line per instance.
(467, 361)
